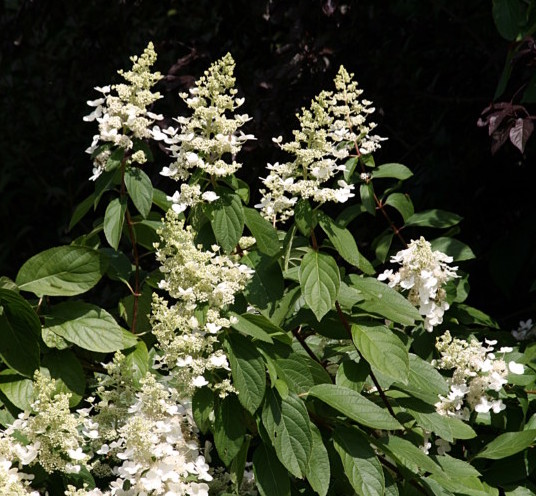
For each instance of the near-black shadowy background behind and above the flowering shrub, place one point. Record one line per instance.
(430, 67)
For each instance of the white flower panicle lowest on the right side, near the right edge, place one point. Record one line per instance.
(476, 372)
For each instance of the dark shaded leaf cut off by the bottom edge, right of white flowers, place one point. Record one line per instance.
(271, 476)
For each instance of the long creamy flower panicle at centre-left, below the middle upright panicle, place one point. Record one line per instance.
(202, 283)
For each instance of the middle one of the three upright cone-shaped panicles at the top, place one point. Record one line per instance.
(210, 138)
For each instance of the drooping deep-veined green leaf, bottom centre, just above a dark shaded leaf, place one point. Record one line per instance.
(287, 424)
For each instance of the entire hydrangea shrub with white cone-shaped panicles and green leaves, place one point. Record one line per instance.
(271, 352)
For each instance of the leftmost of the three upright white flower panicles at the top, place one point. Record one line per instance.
(122, 111)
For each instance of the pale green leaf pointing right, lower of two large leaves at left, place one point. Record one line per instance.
(88, 326)
